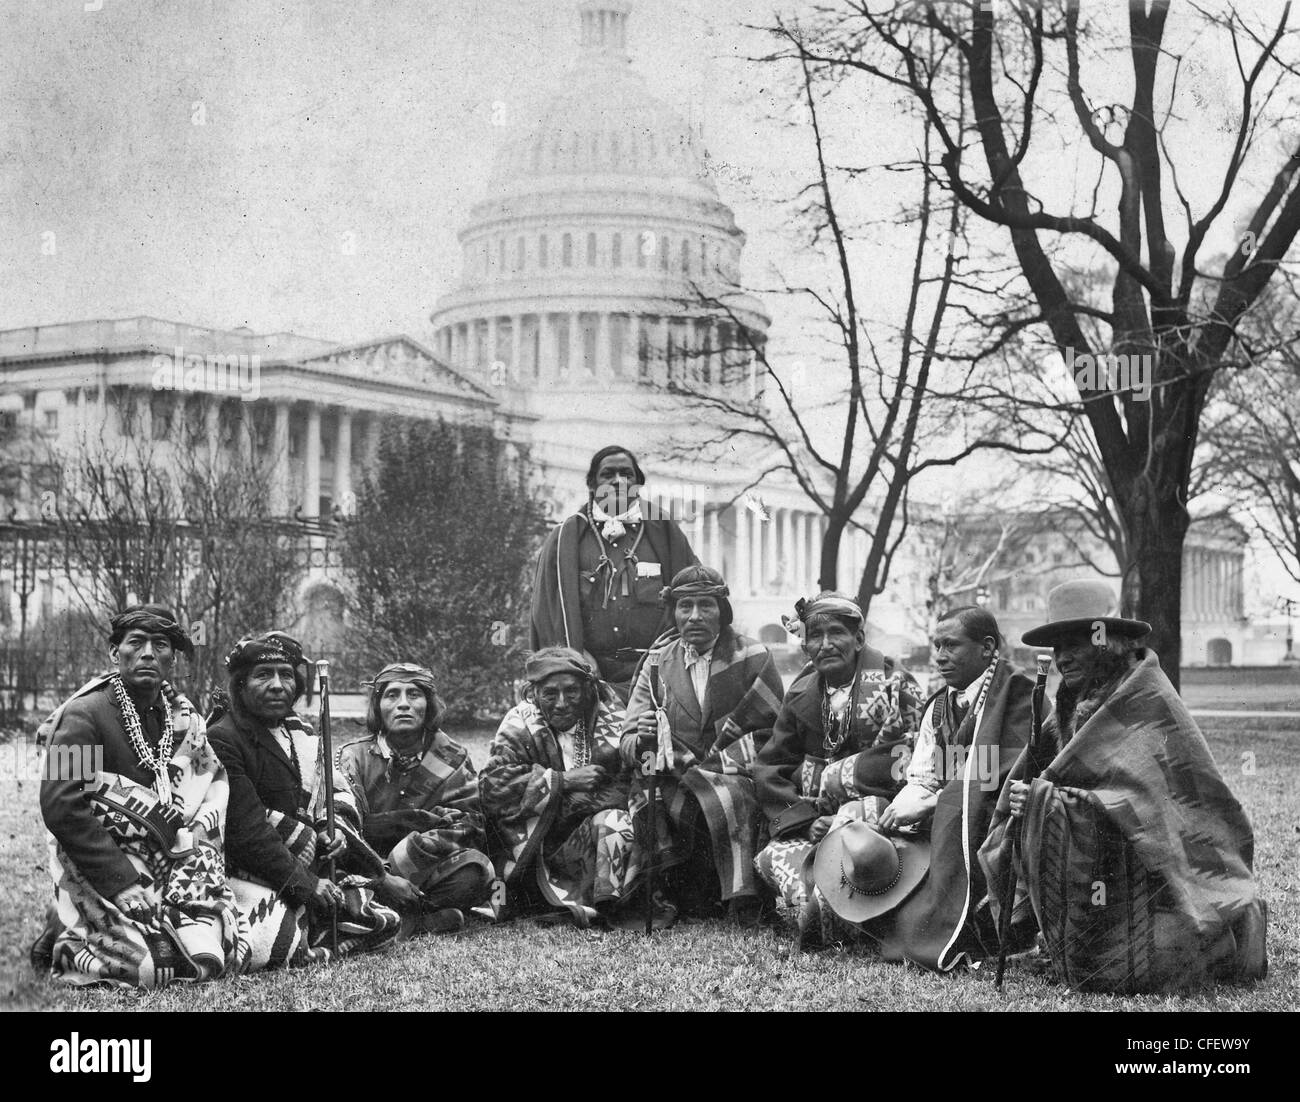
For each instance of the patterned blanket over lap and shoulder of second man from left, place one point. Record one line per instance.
(285, 936)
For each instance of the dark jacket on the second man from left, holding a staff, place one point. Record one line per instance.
(262, 779)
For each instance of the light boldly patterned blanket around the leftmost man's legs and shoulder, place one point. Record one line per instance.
(197, 932)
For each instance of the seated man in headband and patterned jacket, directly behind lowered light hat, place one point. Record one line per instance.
(843, 730)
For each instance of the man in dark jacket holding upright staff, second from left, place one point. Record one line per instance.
(278, 847)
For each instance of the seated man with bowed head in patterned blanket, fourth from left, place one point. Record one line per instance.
(556, 795)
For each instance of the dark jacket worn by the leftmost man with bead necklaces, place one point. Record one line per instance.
(94, 721)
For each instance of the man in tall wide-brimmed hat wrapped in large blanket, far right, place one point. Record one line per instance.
(1136, 854)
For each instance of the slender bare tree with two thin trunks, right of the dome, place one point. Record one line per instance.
(904, 414)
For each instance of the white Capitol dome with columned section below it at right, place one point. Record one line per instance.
(601, 264)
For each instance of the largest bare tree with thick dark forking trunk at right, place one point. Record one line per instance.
(1021, 70)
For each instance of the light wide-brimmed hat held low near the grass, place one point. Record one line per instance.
(864, 874)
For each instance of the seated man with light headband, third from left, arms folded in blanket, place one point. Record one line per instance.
(418, 796)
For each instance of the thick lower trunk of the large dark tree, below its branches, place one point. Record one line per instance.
(1159, 537)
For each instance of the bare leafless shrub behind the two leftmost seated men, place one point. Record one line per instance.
(168, 517)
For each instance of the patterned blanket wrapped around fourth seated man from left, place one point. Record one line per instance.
(570, 851)
